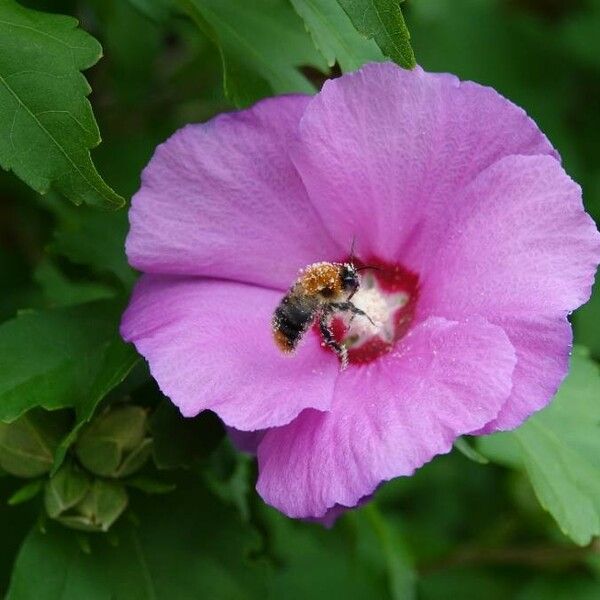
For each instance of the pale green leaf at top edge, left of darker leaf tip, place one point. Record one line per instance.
(334, 35)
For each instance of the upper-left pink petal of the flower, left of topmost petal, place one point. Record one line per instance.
(222, 199)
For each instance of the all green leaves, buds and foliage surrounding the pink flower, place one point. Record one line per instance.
(515, 515)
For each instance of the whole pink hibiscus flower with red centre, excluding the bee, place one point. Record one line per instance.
(452, 191)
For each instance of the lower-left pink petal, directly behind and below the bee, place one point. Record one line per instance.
(209, 345)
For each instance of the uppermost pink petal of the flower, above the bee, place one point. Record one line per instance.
(382, 152)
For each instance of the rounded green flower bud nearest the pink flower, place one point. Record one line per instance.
(116, 444)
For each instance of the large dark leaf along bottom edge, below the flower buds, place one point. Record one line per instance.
(186, 546)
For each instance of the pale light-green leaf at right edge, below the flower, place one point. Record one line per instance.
(560, 450)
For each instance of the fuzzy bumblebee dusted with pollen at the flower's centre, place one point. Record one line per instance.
(321, 290)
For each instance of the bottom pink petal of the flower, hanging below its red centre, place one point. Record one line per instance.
(389, 417)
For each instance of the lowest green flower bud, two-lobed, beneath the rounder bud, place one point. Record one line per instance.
(76, 501)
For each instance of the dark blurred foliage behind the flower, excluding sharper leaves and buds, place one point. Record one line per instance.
(458, 528)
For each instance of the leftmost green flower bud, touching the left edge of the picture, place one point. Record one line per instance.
(27, 445)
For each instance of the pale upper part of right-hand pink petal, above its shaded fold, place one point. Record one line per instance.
(521, 244)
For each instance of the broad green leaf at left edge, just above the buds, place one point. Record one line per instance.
(57, 358)
